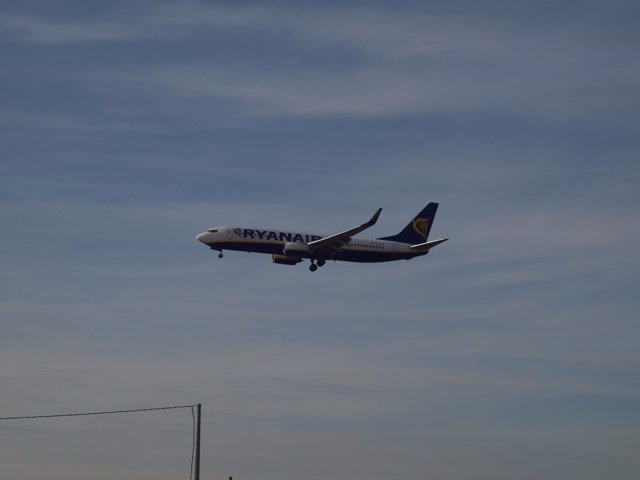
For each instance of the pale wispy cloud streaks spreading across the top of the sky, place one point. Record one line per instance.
(401, 63)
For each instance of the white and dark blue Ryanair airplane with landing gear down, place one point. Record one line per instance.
(290, 248)
